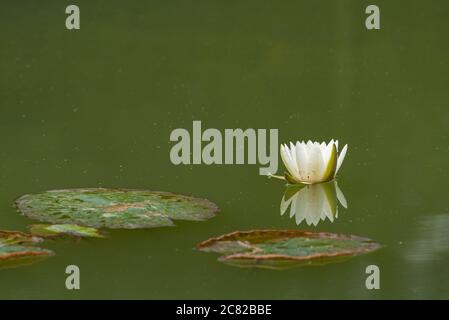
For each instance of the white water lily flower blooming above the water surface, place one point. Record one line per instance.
(312, 162)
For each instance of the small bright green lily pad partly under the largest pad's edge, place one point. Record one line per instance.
(55, 230)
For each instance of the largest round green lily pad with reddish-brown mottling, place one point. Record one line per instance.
(114, 208)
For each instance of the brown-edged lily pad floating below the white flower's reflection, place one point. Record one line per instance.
(279, 249)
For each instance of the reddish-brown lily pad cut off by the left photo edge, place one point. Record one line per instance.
(16, 249)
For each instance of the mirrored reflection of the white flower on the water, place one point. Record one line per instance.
(313, 203)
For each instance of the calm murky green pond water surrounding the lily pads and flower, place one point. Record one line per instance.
(95, 108)
